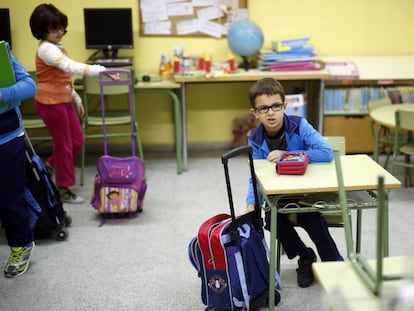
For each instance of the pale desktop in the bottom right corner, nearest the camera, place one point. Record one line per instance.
(343, 285)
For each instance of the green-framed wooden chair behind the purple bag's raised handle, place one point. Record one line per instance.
(118, 118)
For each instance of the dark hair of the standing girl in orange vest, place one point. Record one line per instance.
(46, 17)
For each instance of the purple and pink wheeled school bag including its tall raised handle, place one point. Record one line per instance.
(119, 185)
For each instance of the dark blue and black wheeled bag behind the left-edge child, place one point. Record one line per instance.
(41, 197)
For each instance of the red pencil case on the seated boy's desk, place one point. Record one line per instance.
(292, 163)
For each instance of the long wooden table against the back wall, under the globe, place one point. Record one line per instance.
(311, 78)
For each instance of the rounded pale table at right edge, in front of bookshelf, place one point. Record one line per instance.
(385, 116)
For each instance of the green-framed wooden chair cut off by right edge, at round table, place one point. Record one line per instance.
(403, 144)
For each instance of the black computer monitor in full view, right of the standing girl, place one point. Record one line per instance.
(108, 29)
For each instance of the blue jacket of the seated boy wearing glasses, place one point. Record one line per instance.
(300, 136)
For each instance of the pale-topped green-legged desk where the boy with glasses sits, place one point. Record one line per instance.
(360, 172)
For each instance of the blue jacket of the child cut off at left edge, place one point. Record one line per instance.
(11, 124)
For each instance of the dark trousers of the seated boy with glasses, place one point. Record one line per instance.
(317, 229)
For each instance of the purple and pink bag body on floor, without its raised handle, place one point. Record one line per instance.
(120, 185)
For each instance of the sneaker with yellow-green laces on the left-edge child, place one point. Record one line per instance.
(18, 261)
